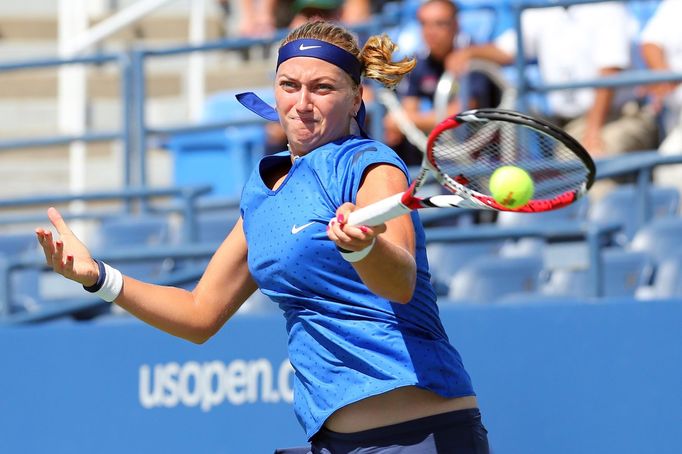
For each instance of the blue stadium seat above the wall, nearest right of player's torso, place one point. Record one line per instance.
(487, 279)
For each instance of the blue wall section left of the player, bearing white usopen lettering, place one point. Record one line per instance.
(122, 386)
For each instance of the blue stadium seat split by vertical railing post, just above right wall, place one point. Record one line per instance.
(623, 273)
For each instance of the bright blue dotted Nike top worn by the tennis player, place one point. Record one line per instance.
(345, 343)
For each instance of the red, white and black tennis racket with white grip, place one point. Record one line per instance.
(464, 150)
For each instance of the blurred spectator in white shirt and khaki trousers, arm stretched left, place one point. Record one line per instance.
(575, 43)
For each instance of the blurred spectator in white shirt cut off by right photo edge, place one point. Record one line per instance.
(661, 43)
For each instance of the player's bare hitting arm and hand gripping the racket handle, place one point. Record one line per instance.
(389, 270)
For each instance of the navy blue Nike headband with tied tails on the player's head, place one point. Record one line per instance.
(308, 48)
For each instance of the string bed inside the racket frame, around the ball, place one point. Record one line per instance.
(466, 156)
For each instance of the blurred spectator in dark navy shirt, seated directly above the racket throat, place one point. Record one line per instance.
(444, 42)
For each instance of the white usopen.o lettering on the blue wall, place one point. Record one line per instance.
(212, 383)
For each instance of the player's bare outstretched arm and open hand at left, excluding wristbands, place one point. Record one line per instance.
(195, 315)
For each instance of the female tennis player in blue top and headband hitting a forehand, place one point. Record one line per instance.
(375, 371)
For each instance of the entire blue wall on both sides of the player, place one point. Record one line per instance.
(552, 378)
